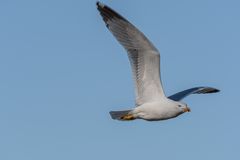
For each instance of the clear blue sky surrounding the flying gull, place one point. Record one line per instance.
(61, 72)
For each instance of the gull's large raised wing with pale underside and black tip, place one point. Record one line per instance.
(143, 56)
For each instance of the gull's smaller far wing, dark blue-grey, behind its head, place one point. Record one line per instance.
(197, 90)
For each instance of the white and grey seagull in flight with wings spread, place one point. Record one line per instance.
(151, 104)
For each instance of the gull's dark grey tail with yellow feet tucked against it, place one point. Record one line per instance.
(122, 115)
